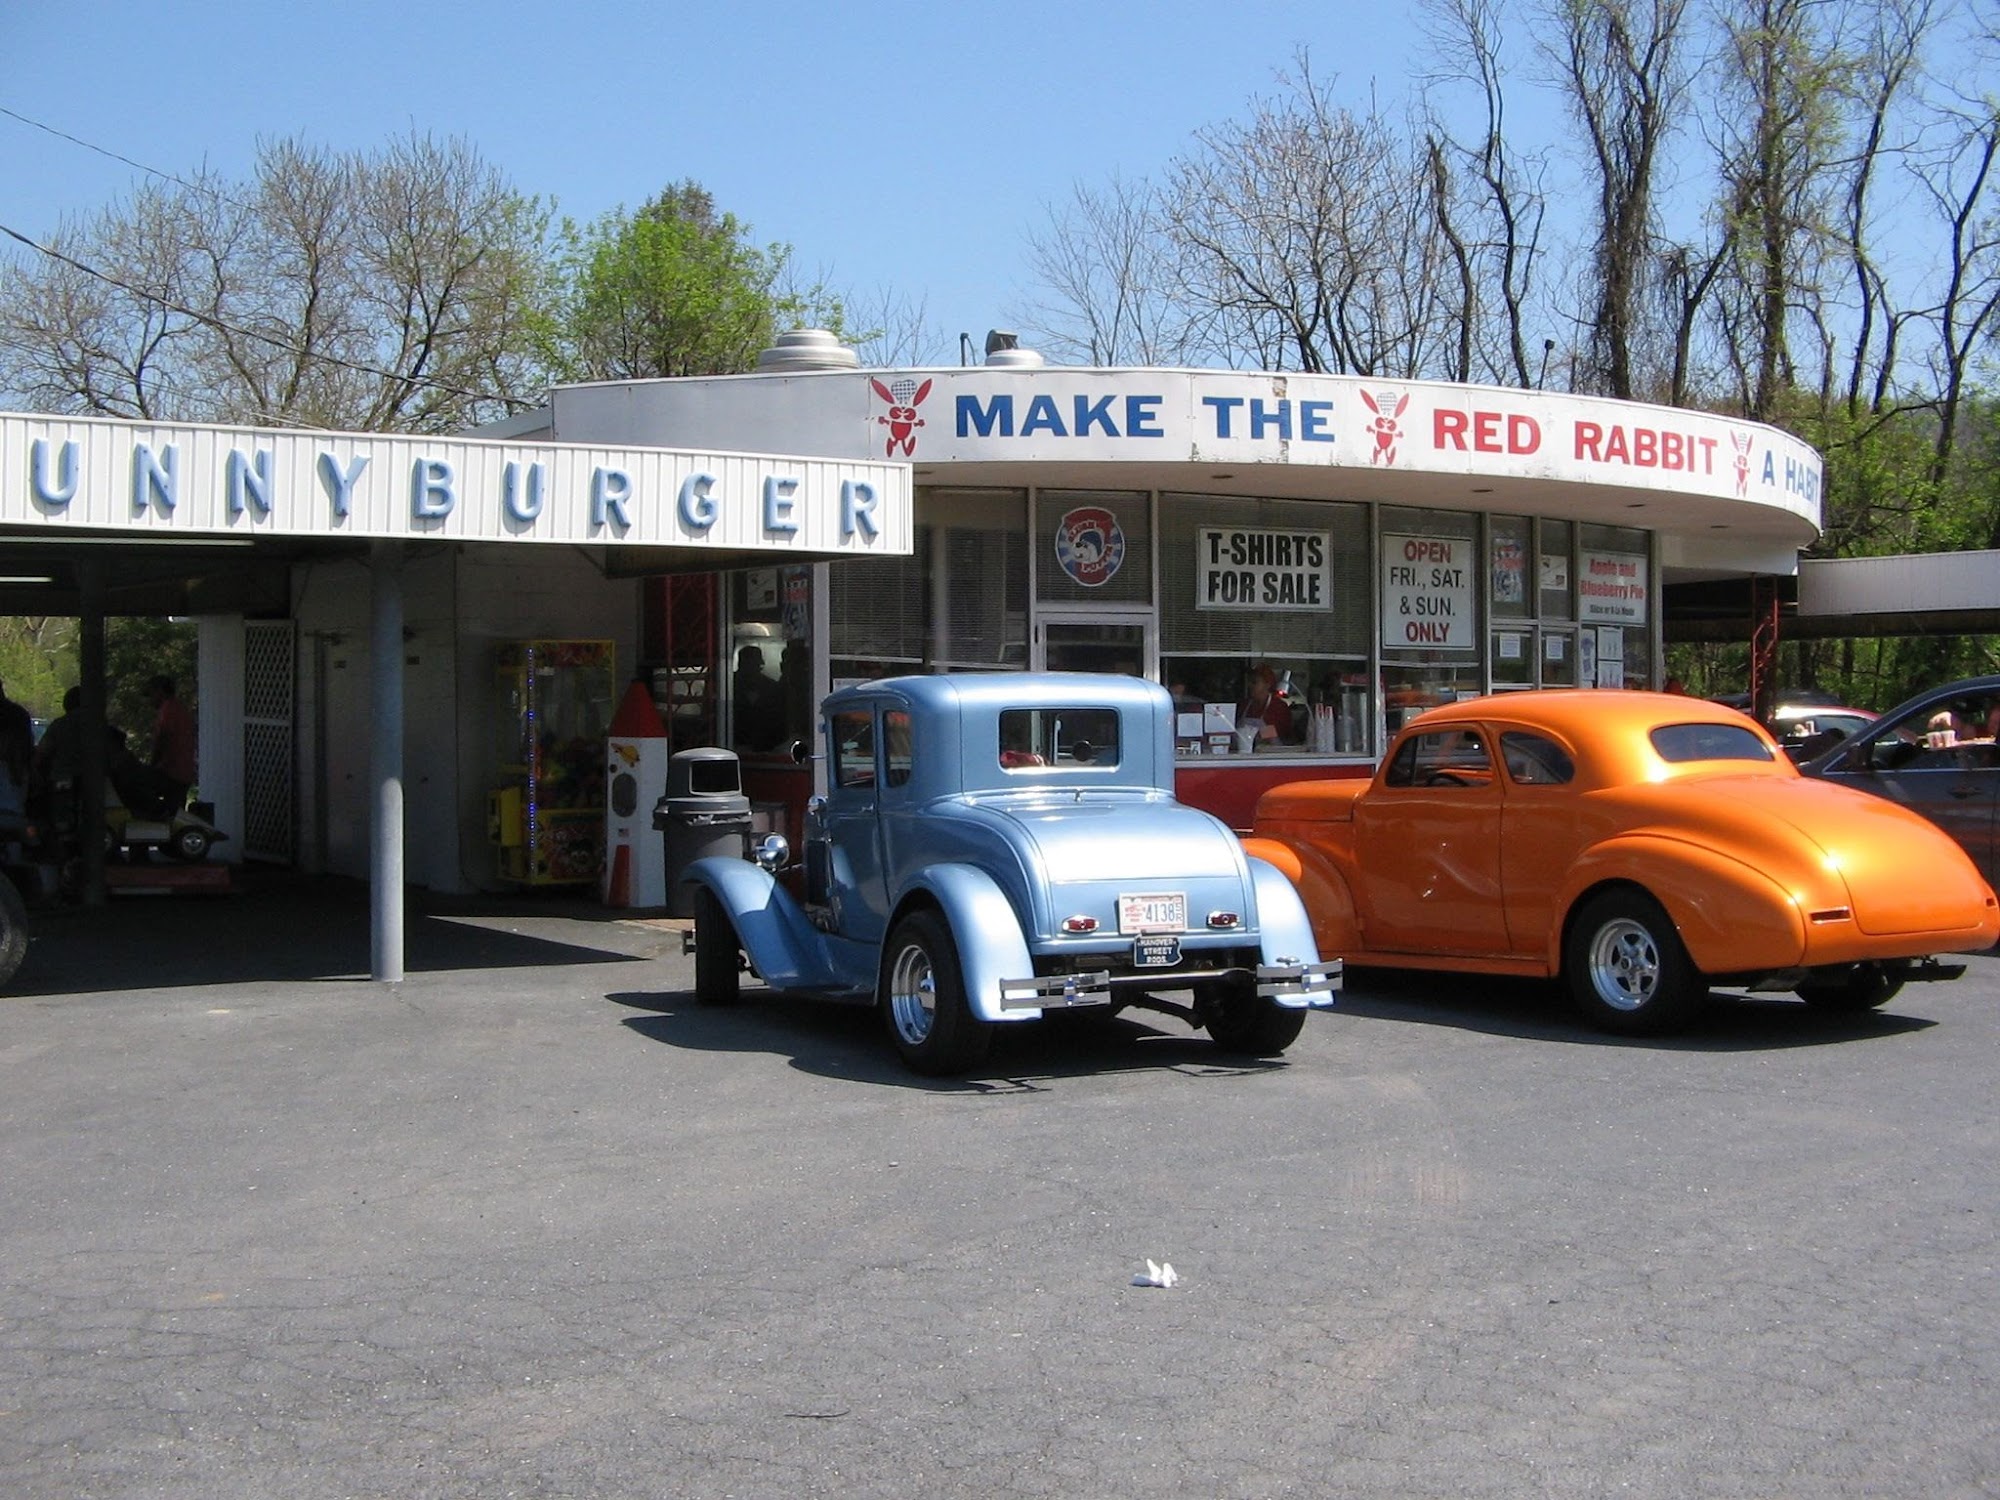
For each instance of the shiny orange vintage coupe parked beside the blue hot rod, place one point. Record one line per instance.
(1641, 847)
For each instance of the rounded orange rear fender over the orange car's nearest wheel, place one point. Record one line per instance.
(1731, 917)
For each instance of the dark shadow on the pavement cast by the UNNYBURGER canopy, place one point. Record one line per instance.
(287, 929)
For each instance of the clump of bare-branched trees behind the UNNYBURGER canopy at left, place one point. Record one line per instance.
(391, 291)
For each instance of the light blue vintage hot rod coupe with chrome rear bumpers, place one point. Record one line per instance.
(993, 847)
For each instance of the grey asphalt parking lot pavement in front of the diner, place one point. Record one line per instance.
(531, 1223)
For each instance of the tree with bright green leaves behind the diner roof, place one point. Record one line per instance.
(673, 289)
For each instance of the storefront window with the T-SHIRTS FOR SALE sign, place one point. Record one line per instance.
(1275, 585)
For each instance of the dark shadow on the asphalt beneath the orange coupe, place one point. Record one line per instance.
(1539, 1009)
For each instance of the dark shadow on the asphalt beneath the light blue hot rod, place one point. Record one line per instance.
(847, 1041)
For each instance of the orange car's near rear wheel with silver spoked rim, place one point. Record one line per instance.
(1627, 967)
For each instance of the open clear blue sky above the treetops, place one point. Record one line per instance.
(897, 147)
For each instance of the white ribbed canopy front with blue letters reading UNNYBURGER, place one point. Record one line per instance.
(145, 479)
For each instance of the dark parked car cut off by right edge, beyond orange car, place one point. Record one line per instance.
(1935, 755)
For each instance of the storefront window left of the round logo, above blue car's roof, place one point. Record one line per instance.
(959, 603)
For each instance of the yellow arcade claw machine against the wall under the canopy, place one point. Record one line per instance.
(547, 811)
